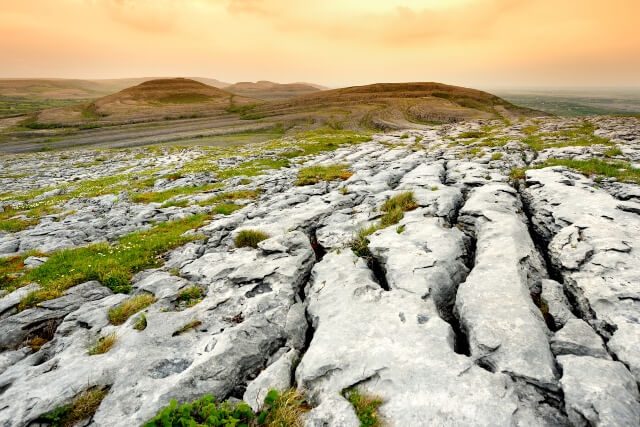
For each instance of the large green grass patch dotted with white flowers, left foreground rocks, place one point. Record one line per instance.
(112, 265)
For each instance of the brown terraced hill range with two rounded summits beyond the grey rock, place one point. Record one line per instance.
(185, 111)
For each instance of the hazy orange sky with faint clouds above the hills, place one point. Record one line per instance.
(478, 43)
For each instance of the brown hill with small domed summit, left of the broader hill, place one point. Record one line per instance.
(150, 100)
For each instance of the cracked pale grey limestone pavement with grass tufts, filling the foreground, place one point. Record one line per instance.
(507, 293)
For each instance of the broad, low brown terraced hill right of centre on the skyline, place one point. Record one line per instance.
(392, 106)
